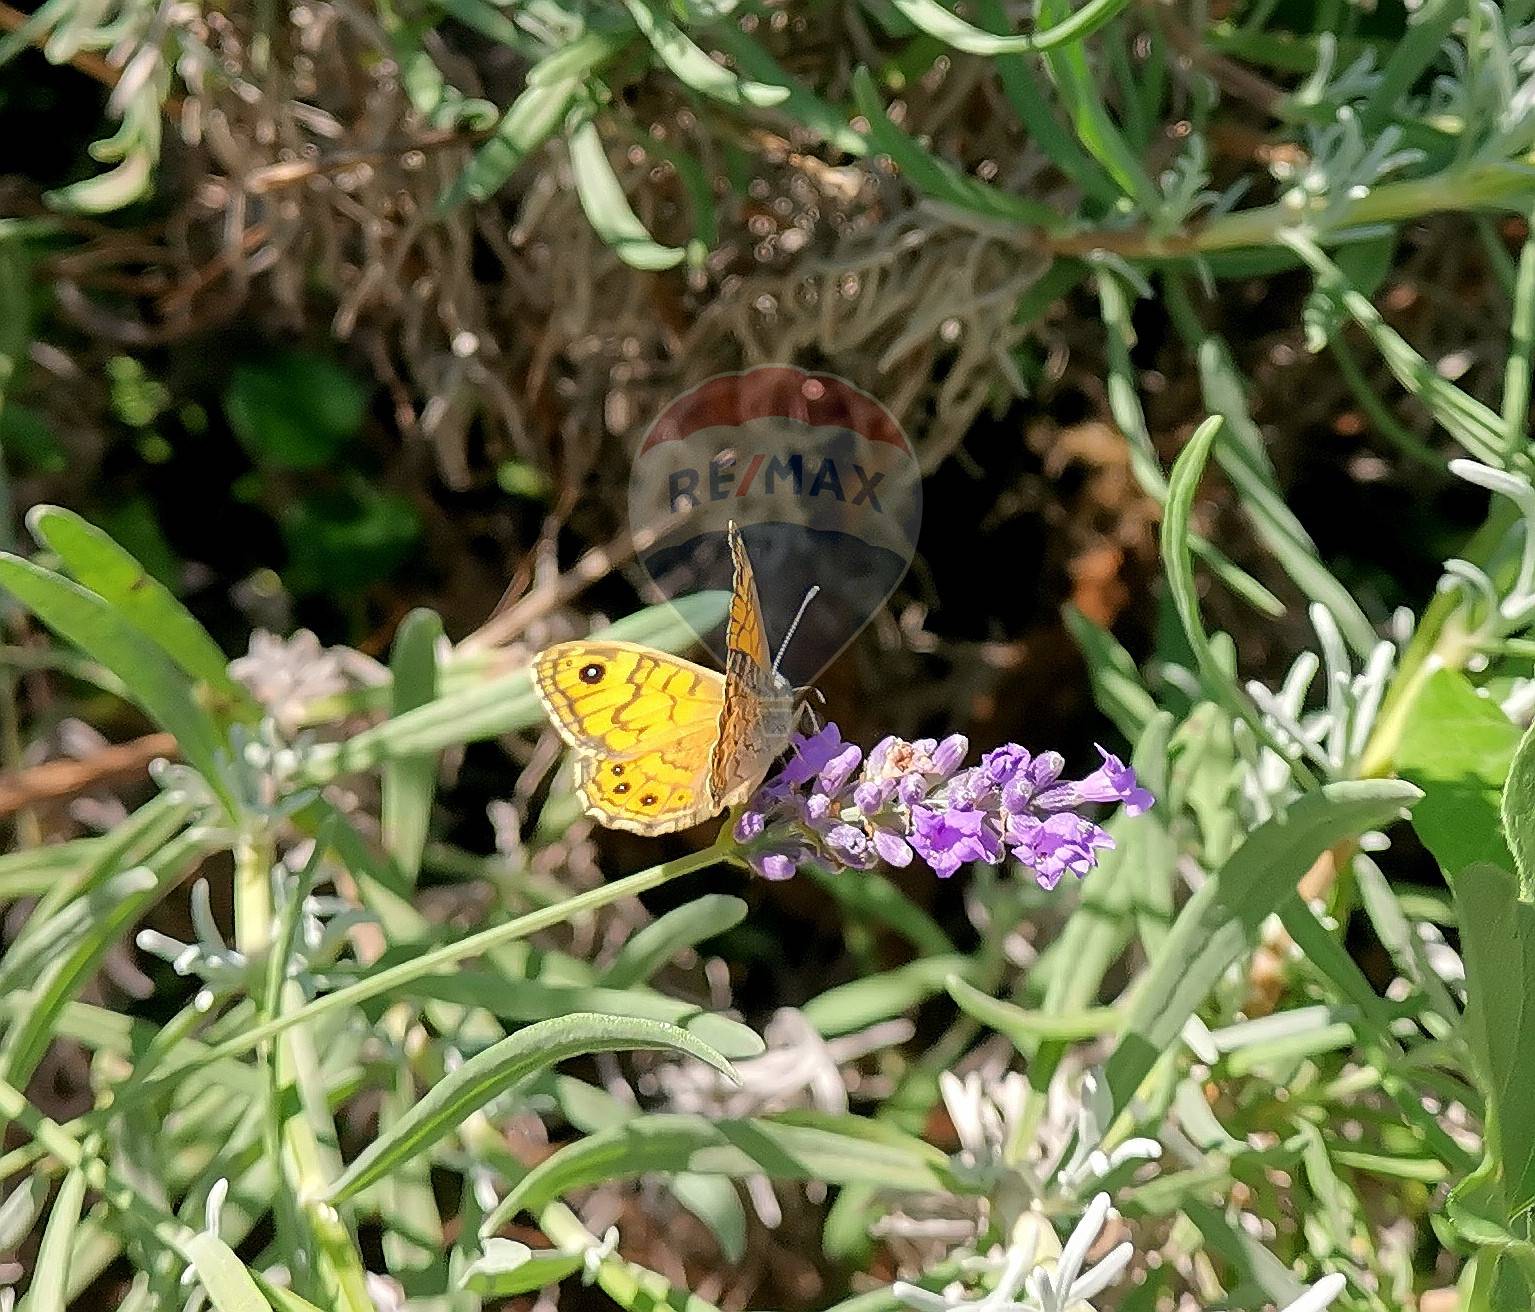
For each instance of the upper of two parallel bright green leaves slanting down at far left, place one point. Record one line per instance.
(104, 567)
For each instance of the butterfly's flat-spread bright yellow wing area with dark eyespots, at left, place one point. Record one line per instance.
(644, 727)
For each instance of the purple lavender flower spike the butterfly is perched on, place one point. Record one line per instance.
(913, 800)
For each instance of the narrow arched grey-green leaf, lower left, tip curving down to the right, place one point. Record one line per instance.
(498, 1069)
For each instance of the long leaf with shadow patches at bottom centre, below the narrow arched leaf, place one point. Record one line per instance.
(837, 1152)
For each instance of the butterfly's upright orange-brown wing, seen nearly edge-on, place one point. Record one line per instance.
(759, 707)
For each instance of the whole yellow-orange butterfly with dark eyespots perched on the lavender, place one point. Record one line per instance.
(662, 743)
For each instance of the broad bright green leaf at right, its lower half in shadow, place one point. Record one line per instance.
(1457, 747)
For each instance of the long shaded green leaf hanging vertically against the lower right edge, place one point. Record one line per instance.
(1497, 937)
